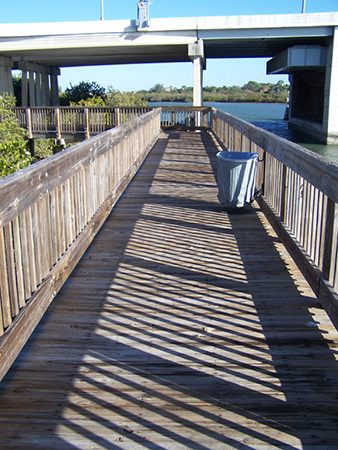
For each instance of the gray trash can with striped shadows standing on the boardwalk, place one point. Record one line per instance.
(236, 173)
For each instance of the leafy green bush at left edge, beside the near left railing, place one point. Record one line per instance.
(13, 150)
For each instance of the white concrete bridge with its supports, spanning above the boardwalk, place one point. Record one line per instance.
(303, 45)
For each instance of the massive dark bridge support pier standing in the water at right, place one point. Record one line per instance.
(313, 88)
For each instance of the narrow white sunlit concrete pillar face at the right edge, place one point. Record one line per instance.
(330, 116)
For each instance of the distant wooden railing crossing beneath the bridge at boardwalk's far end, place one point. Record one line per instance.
(79, 122)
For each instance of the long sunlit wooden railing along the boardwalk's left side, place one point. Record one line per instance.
(49, 214)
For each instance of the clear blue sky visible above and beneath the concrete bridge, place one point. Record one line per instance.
(126, 78)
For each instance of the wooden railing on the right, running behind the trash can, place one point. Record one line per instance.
(300, 199)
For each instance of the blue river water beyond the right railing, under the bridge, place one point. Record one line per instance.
(268, 116)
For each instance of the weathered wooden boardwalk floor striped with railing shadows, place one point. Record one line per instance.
(185, 326)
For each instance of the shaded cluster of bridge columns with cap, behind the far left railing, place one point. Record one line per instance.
(42, 86)
